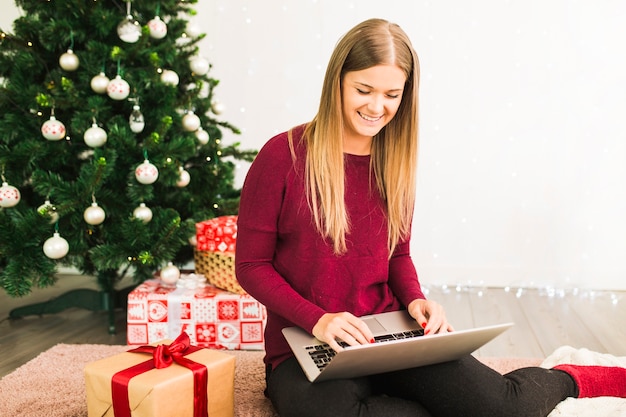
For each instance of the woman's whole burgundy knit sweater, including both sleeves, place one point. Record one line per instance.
(284, 263)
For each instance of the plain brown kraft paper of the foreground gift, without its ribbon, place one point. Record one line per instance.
(165, 392)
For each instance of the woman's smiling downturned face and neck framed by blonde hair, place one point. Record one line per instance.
(370, 99)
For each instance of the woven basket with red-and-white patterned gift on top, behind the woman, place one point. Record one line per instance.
(214, 254)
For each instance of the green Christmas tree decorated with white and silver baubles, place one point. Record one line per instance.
(110, 141)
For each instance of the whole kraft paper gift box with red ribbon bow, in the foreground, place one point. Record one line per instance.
(172, 380)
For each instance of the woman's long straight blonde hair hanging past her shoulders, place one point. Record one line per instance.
(394, 148)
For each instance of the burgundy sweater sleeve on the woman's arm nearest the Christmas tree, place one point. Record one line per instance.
(260, 206)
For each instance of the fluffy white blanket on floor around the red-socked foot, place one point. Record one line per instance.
(586, 407)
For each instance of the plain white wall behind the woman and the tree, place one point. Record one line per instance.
(523, 134)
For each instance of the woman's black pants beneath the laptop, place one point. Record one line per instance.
(460, 388)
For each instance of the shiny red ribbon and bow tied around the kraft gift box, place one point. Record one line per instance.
(162, 357)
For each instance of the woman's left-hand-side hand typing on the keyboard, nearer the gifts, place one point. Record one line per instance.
(344, 326)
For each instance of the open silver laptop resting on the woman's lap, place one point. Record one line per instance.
(400, 344)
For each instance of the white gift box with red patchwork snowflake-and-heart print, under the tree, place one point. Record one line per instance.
(212, 317)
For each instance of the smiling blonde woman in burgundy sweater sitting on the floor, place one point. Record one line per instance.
(323, 238)
